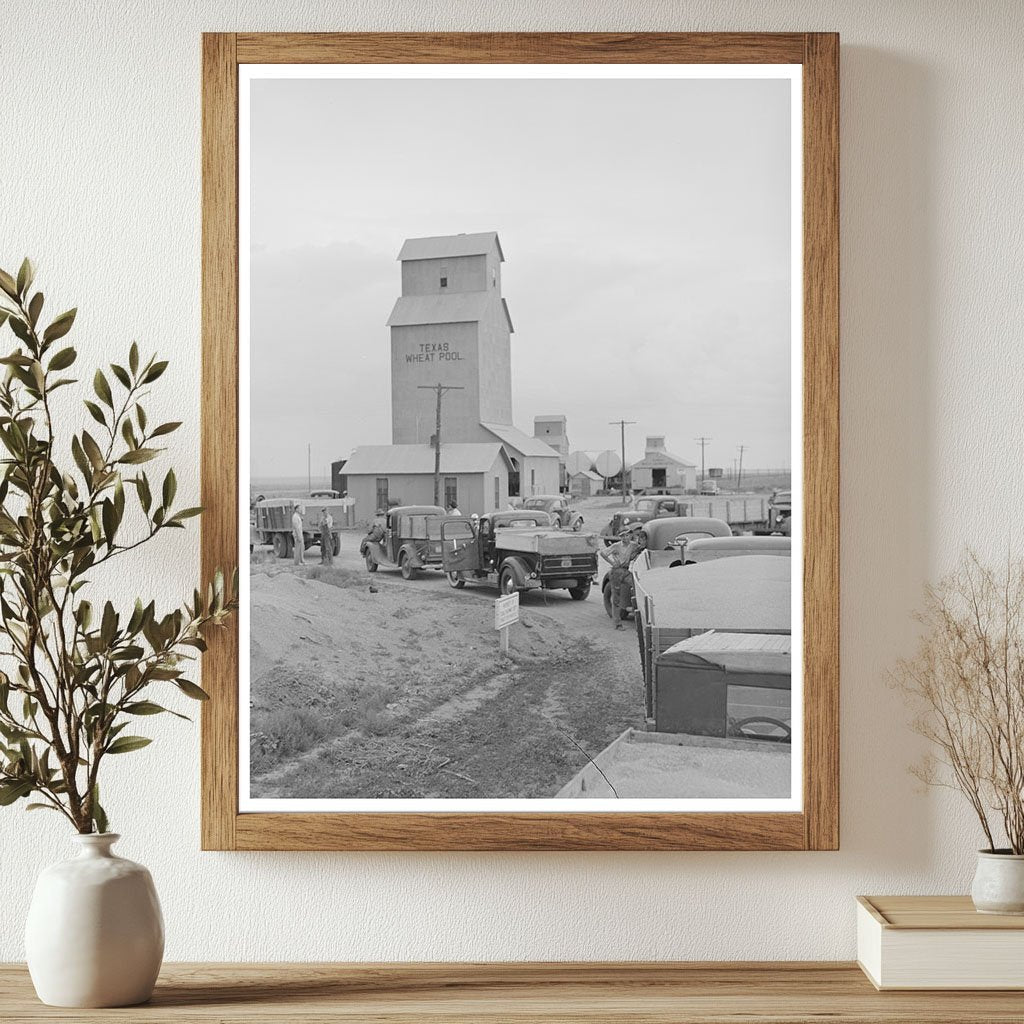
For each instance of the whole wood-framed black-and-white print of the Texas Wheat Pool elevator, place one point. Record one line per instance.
(521, 416)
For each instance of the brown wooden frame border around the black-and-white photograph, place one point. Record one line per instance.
(817, 827)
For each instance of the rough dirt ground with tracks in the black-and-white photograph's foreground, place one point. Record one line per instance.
(367, 686)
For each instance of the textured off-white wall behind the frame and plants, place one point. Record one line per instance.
(101, 183)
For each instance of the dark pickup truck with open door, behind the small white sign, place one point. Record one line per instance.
(519, 550)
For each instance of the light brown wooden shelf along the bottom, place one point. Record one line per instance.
(477, 994)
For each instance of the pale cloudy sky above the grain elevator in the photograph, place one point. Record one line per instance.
(646, 226)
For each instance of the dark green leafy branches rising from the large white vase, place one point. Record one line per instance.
(80, 674)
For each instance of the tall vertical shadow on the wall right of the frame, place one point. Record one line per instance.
(887, 281)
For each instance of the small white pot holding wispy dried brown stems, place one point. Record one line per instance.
(967, 686)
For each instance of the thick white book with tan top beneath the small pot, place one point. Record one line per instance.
(938, 943)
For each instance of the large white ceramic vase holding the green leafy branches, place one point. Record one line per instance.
(96, 935)
